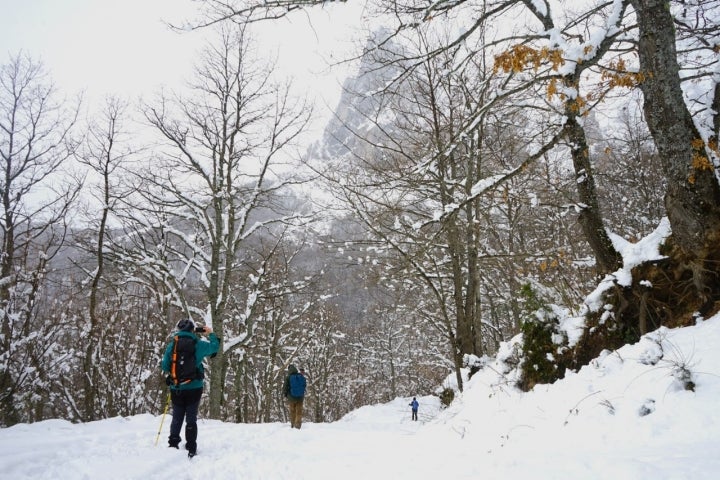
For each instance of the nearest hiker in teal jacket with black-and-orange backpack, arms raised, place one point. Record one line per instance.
(183, 362)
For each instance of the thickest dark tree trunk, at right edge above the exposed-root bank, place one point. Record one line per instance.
(692, 200)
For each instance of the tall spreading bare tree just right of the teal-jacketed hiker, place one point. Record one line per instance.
(214, 187)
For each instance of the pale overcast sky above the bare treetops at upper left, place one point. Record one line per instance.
(123, 47)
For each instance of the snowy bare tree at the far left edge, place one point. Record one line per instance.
(35, 143)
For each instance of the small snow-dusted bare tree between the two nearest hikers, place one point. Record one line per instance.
(284, 295)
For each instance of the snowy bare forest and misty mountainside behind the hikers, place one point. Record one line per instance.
(487, 164)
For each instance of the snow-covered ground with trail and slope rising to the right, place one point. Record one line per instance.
(624, 417)
